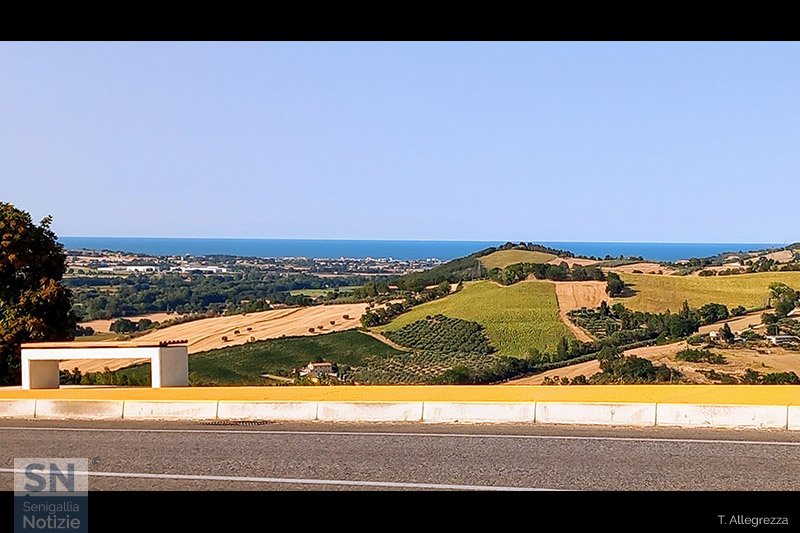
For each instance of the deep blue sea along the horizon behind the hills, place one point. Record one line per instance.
(406, 250)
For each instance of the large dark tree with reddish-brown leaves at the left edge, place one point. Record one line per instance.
(34, 305)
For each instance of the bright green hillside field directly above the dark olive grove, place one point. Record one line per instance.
(517, 318)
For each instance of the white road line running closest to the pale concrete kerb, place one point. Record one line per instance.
(409, 434)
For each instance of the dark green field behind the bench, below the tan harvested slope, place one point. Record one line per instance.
(244, 364)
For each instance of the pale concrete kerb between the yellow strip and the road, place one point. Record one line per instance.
(577, 413)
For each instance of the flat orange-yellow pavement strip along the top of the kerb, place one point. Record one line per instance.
(695, 394)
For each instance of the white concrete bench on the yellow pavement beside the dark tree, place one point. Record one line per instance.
(169, 361)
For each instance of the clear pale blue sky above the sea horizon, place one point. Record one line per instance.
(657, 142)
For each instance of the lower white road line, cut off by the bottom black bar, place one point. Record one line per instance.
(298, 481)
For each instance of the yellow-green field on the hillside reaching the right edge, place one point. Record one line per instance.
(659, 293)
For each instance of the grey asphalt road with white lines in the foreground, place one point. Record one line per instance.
(284, 456)
